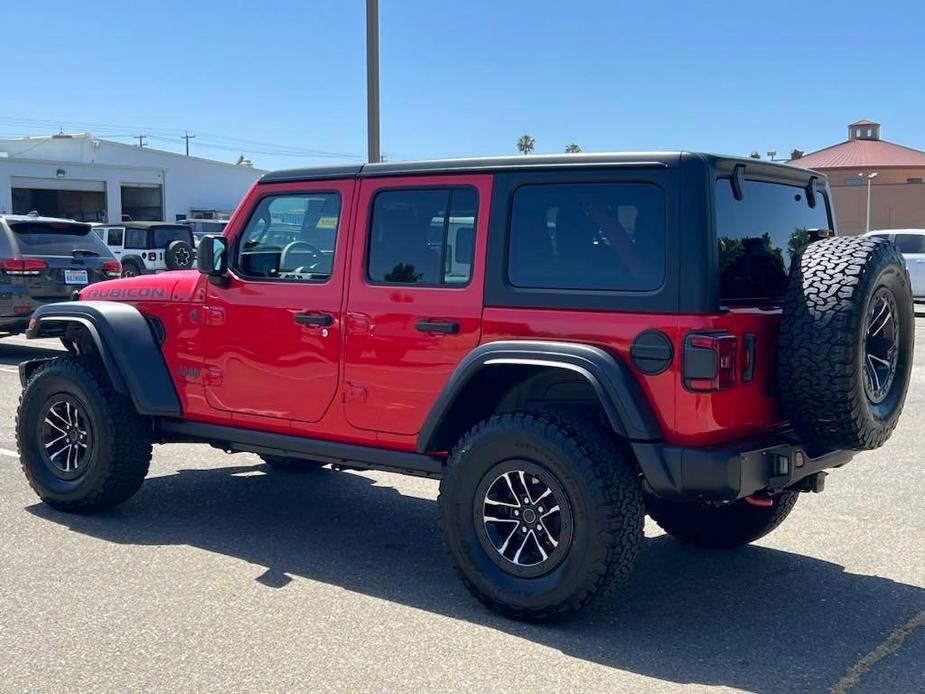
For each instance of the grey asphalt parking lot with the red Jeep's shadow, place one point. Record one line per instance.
(221, 575)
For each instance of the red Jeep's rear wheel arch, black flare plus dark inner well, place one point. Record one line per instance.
(505, 374)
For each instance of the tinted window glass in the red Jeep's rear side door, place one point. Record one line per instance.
(424, 236)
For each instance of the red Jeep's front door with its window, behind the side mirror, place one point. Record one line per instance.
(273, 333)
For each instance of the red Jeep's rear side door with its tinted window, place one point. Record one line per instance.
(415, 295)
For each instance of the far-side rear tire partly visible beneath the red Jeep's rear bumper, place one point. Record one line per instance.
(723, 527)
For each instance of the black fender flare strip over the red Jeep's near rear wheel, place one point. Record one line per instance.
(627, 409)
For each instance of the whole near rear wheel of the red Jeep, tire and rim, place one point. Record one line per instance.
(540, 513)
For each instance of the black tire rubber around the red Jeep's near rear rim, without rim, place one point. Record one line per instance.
(598, 475)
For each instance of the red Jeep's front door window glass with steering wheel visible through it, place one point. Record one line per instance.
(290, 237)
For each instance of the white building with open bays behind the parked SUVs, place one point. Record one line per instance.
(95, 180)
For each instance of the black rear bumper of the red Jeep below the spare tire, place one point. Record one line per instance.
(732, 471)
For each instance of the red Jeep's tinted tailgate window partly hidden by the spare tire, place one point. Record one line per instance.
(759, 236)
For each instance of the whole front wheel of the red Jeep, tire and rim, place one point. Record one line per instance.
(82, 446)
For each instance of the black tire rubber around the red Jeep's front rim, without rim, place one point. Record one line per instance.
(120, 452)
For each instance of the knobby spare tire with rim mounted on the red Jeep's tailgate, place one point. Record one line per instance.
(844, 352)
